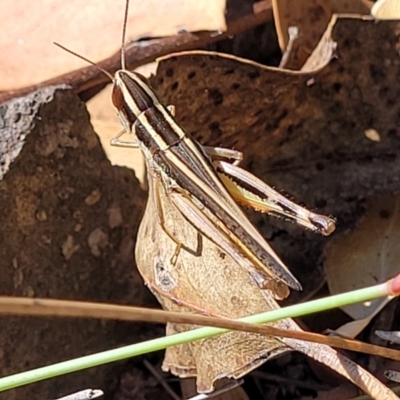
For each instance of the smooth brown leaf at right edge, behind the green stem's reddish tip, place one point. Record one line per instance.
(367, 256)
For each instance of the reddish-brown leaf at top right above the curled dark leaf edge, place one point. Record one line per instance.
(311, 17)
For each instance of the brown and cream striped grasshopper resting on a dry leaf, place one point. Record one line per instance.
(203, 183)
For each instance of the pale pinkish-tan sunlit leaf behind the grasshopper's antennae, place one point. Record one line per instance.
(92, 28)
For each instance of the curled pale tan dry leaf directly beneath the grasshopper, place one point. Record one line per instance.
(204, 280)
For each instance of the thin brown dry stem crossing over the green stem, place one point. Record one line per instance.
(79, 309)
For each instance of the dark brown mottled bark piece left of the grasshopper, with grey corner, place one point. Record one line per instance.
(52, 163)
